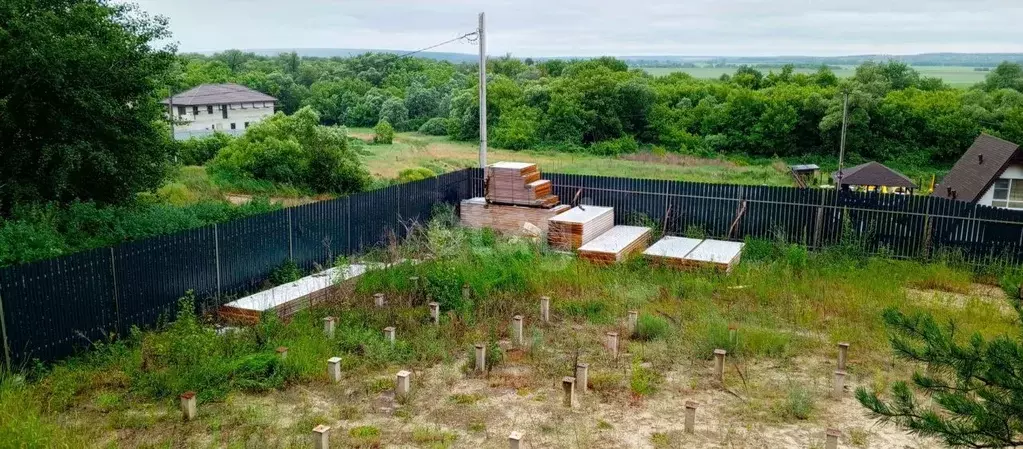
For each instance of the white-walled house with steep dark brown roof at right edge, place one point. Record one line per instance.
(991, 173)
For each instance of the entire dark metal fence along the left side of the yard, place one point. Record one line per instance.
(51, 308)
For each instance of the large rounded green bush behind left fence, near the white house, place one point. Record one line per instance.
(297, 151)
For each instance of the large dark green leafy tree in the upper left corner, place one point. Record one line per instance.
(79, 119)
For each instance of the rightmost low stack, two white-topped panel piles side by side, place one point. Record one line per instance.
(692, 253)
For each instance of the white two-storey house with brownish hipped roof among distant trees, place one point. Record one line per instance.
(209, 108)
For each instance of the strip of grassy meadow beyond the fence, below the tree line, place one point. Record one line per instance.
(442, 155)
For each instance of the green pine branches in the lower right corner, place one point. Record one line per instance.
(973, 384)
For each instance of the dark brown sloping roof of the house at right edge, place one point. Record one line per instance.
(980, 167)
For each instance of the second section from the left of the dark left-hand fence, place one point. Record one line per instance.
(154, 275)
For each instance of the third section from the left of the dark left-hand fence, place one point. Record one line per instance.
(250, 249)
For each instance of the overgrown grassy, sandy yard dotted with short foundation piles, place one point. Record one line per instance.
(790, 311)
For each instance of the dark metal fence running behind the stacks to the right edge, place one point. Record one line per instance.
(903, 227)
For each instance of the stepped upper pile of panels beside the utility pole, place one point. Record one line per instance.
(519, 184)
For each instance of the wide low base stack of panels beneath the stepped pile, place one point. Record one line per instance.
(476, 213)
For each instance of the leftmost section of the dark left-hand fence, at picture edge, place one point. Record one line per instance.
(54, 307)
